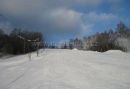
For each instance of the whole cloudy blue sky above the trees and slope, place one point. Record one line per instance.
(60, 20)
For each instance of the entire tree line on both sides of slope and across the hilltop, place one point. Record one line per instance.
(21, 41)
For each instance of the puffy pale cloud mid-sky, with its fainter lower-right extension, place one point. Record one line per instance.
(66, 20)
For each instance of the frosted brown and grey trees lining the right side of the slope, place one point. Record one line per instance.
(117, 39)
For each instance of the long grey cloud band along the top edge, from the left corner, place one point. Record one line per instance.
(35, 7)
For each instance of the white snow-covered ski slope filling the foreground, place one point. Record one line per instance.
(66, 69)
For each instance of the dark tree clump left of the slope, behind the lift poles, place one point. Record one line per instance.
(20, 41)
